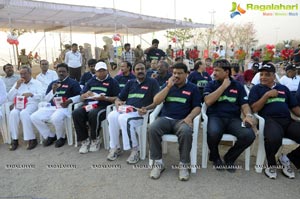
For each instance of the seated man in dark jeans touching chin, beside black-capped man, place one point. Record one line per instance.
(225, 99)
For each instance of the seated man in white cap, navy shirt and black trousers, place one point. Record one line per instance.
(97, 94)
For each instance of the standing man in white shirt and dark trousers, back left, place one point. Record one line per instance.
(74, 61)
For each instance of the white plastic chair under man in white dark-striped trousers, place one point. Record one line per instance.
(141, 131)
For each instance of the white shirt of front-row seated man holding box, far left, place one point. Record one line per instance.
(33, 86)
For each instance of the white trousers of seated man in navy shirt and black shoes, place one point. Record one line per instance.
(56, 117)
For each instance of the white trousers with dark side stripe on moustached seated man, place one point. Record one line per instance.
(127, 122)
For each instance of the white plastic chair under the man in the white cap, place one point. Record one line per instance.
(104, 125)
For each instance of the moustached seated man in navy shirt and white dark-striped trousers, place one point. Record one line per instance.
(138, 93)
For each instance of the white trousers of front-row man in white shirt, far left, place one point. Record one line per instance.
(16, 115)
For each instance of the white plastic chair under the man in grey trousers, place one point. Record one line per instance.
(173, 138)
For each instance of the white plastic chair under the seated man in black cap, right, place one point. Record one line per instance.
(261, 153)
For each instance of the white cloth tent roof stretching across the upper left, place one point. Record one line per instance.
(44, 16)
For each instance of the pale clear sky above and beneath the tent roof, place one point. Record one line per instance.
(270, 29)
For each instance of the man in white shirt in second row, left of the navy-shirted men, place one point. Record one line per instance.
(46, 76)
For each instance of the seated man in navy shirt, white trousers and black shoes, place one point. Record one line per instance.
(60, 93)
